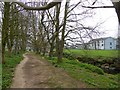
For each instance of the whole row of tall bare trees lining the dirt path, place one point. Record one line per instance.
(42, 29)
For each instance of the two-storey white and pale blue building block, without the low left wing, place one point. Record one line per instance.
(107, 43)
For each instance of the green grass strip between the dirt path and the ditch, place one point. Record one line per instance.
(93, 76)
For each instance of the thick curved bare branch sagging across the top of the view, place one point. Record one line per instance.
(48, 6)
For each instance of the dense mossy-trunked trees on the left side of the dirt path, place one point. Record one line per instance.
(14, 28)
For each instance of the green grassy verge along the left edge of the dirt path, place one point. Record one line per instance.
(9, 67)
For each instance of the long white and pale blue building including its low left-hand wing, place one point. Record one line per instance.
(108, 43)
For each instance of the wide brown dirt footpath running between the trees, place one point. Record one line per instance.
(33, 72)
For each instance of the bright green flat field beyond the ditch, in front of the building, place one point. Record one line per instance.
(94, 53)
